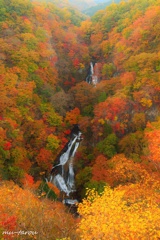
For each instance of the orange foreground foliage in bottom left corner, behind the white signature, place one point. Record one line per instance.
(21, 210)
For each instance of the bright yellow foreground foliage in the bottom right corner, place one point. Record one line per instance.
(119, 216)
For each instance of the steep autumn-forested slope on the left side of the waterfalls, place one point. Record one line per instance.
(39, 53)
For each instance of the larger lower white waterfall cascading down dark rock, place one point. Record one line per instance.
(62, 174)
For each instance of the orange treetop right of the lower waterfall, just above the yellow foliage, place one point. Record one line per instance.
(118, 170)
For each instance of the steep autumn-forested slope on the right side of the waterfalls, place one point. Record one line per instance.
(124, 43)
